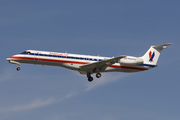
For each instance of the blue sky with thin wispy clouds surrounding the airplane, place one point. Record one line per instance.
(102, 27)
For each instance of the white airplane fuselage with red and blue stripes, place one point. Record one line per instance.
(70, 61)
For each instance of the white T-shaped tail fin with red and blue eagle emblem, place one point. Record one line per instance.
(152, 55)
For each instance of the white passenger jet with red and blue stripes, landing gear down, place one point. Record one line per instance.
(87, 65)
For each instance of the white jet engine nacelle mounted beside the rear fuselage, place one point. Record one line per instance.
(132, 61)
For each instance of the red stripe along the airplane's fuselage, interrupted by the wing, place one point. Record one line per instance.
(74, 62)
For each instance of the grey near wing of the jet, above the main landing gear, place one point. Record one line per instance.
(100, 65)
